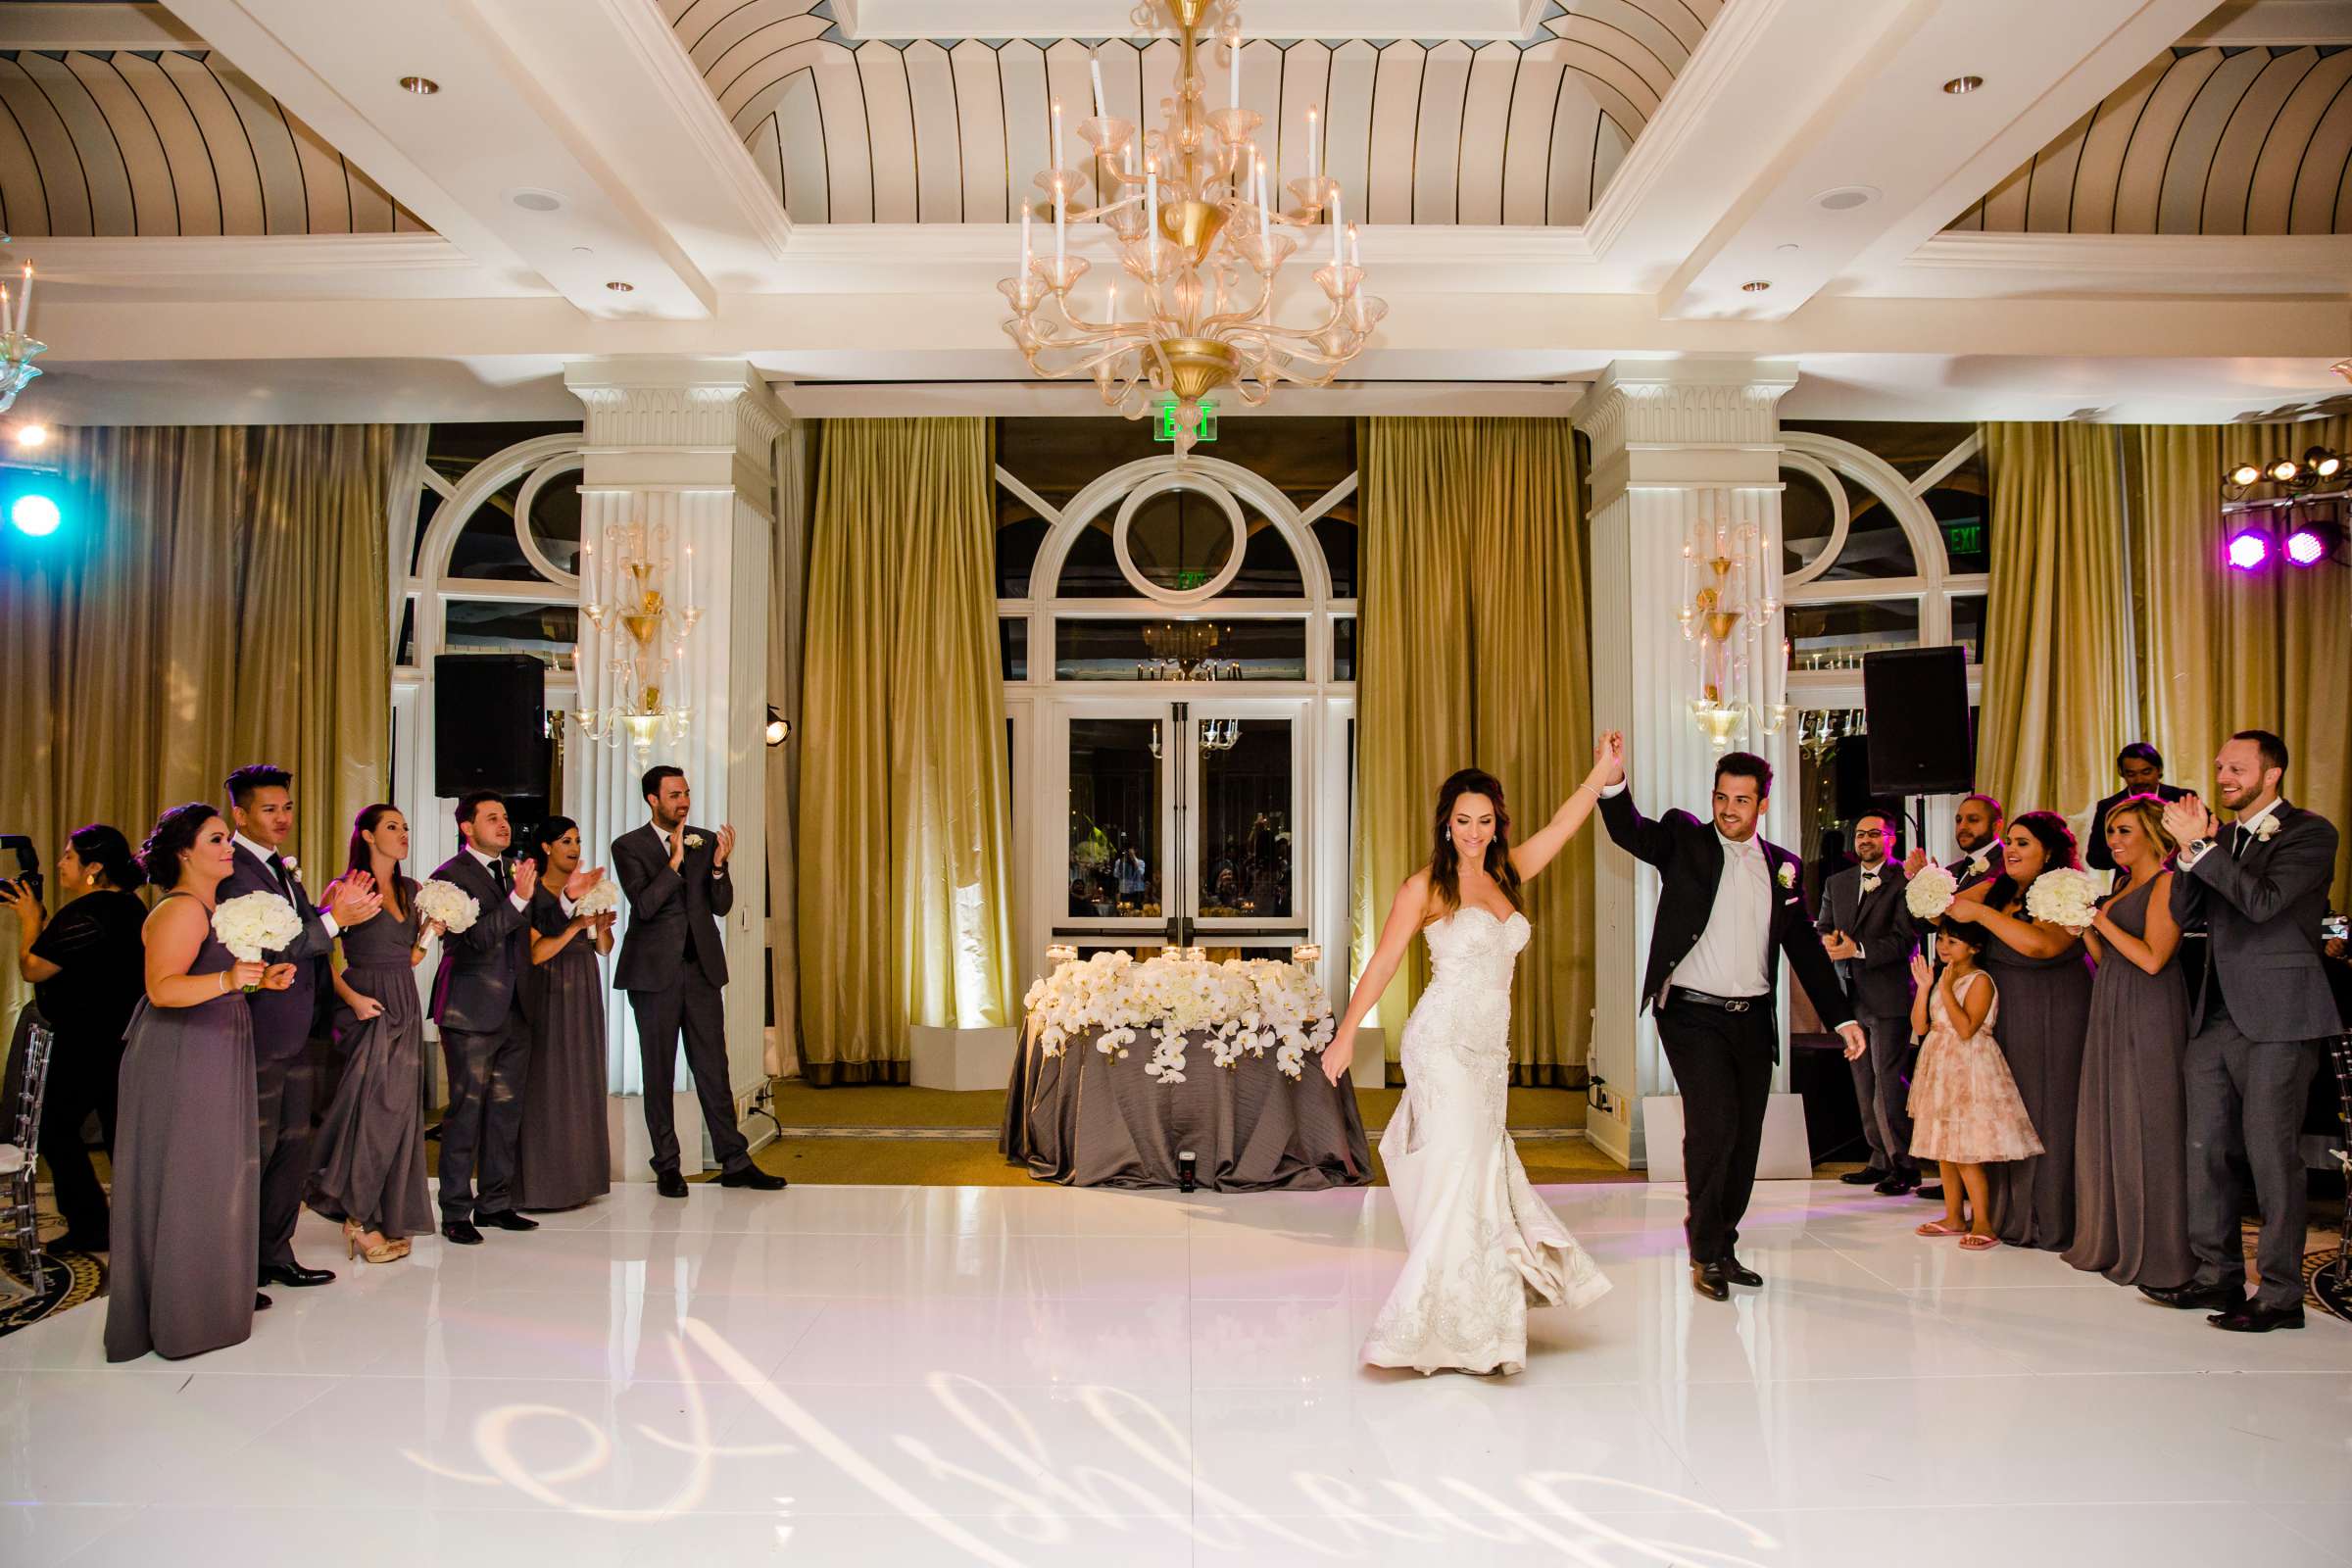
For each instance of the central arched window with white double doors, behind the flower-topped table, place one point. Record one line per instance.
(1180, 678)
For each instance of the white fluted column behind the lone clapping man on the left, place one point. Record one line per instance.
(686, 448)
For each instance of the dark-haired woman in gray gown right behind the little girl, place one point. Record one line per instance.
(2045, 979)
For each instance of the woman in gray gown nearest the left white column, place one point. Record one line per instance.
(566, 1148)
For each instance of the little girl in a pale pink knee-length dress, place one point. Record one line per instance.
(1965, 1106)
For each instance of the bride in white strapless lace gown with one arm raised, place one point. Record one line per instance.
(1481, 1245)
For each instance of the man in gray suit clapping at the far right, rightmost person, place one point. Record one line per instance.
(2261, 890)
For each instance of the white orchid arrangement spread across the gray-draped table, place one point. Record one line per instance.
(1243, 1007)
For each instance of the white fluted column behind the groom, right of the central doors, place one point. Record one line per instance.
(1673, 443)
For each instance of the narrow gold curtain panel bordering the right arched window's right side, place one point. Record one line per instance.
(2057, 657)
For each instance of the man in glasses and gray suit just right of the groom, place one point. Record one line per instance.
(1869, 932)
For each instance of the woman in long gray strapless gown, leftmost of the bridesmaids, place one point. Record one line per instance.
(187, 1221)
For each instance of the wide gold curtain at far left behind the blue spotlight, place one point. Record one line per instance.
(215, 598)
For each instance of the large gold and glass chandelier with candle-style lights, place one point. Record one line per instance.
(1201, 246)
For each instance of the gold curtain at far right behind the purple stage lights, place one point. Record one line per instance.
(2231, 650)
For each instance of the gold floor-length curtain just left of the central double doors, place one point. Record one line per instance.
(904, 833)
